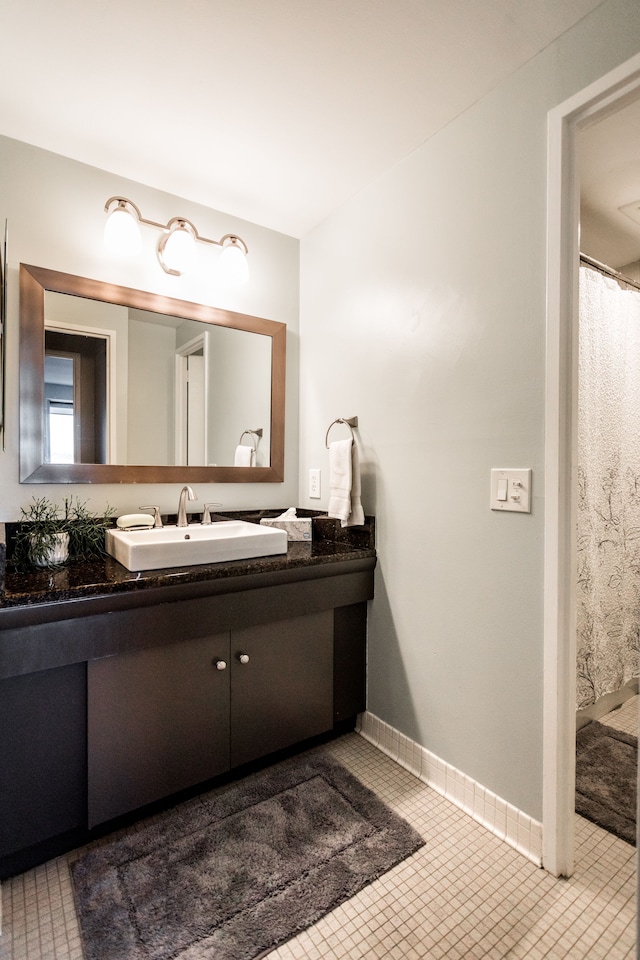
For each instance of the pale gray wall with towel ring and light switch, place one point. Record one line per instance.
(423, 312)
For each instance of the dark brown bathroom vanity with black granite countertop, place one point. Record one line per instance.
(119, 690)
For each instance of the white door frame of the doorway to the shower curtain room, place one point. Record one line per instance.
(600, 98)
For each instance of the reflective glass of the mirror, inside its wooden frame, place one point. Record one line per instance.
(123, 385)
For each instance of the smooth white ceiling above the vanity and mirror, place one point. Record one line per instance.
(276, 112)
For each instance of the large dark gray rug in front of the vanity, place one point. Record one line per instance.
(238, 871)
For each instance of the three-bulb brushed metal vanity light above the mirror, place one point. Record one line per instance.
(176, 247)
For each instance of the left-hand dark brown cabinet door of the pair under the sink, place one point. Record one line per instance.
(158, 723)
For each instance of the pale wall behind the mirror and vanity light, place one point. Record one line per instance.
(55, 211)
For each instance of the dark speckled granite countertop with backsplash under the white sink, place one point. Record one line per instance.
(331, 543)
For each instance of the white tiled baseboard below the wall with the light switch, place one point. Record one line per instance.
(504, 820)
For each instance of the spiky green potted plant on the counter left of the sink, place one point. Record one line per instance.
(49, 535)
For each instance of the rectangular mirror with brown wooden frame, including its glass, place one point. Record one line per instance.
(123, 386)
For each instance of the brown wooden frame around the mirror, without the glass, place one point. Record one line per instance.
(34, 281)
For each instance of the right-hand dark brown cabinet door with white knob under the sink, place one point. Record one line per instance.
(283, 693)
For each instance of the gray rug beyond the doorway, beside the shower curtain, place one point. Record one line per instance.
(606, 778)
